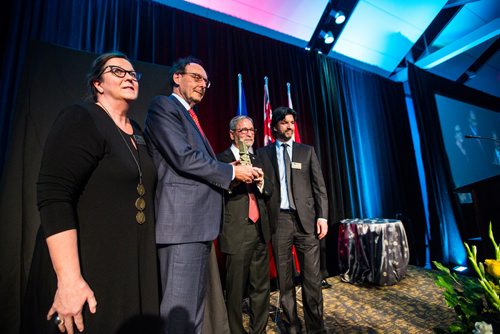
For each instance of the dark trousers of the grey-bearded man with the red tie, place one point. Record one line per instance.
(248, 269)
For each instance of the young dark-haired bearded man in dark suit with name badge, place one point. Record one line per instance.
(298, 210)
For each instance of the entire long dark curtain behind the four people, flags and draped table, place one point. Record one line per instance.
(356, 120)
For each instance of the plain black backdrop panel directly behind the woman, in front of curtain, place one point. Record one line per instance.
(54, 78)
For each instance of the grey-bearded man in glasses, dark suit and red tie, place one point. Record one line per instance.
(244, 237)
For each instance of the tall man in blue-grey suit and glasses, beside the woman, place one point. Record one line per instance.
(189, 195)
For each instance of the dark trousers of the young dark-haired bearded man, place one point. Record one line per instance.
(288, 233)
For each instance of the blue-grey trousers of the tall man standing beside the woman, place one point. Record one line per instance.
(183, 269)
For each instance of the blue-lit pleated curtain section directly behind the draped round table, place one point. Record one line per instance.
(364, 140)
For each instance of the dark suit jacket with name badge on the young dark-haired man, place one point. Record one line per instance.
(308, 186)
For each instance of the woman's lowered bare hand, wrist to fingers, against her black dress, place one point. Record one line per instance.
(69, 300)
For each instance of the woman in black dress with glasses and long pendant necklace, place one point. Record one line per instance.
(94, 266)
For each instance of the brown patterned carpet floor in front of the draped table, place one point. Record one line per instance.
(414, 305)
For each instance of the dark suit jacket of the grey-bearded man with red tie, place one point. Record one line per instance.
(236, 208)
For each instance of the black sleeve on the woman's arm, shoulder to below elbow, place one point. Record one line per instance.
(72, 151)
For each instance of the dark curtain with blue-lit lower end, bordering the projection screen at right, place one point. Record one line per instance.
(448, 222)
